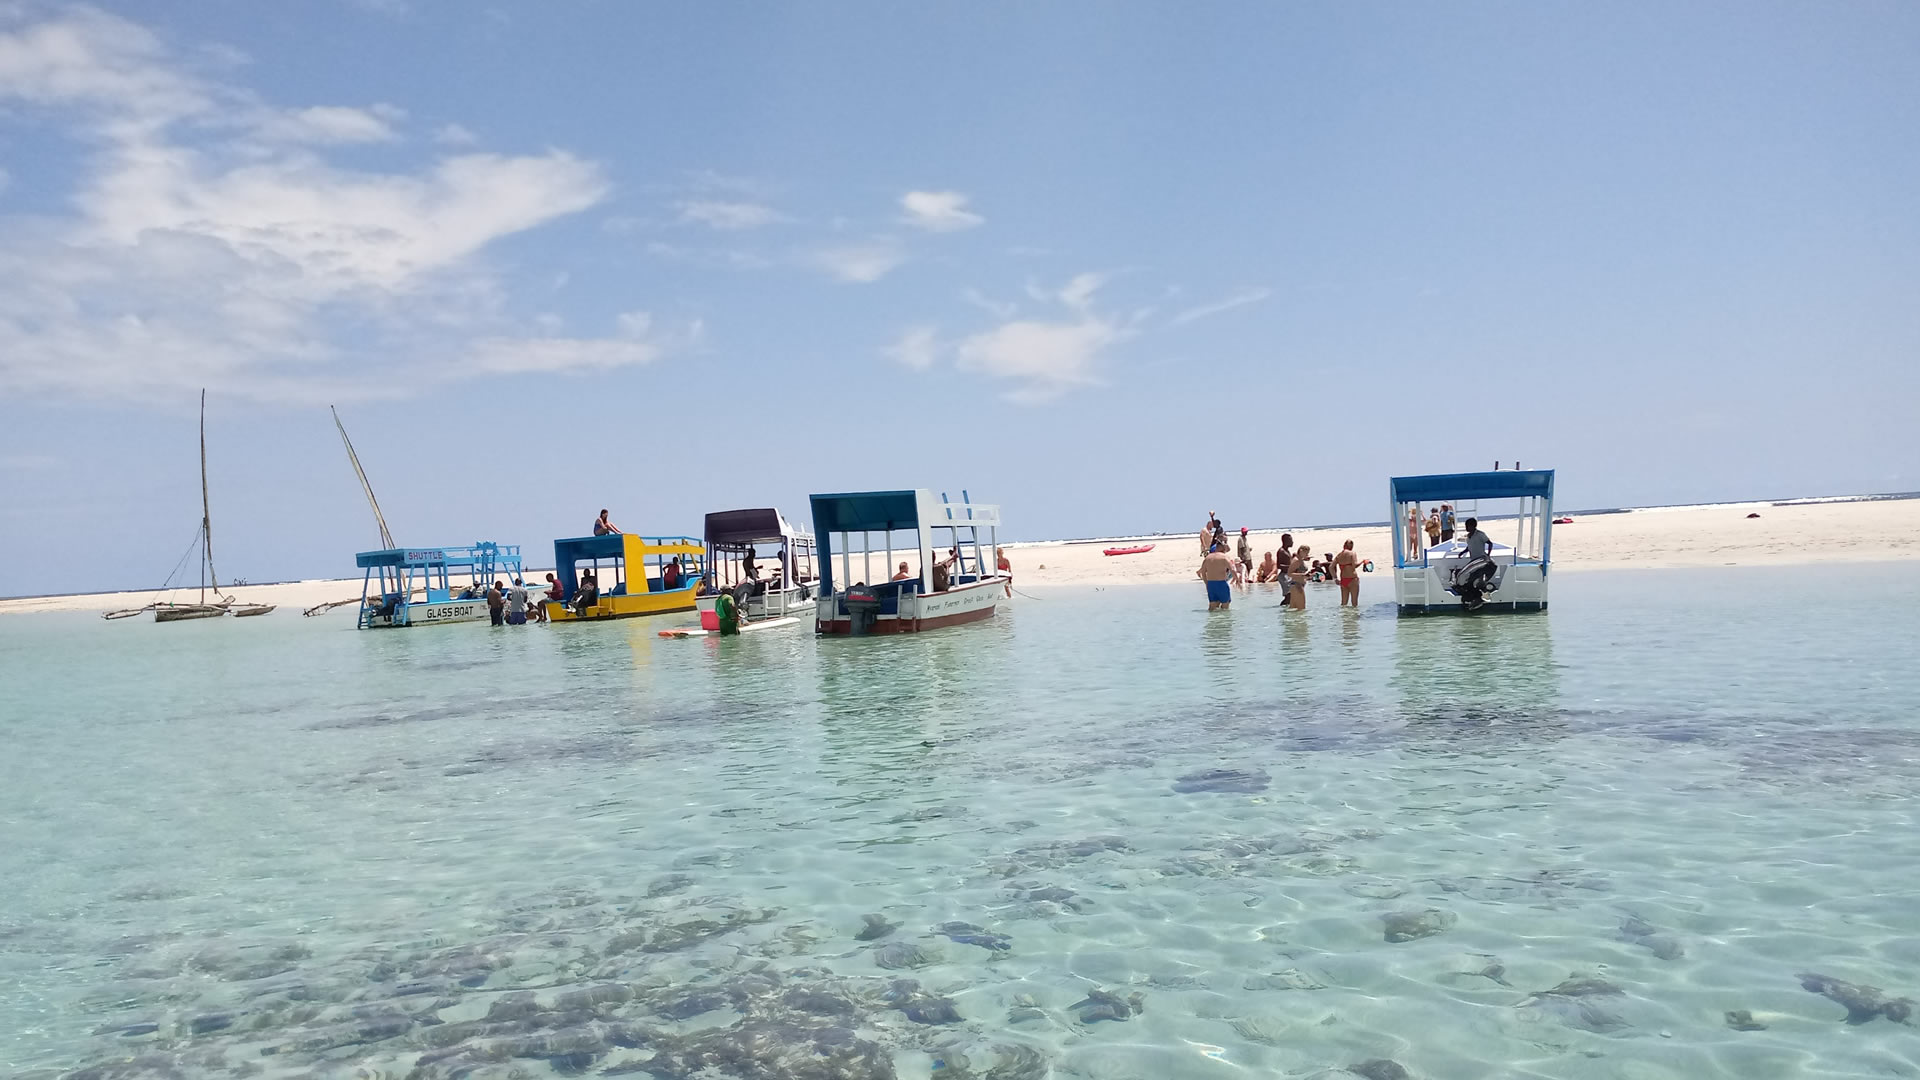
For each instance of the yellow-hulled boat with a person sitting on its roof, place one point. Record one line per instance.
(629, 576)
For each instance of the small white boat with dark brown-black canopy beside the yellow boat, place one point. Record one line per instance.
(767, 562)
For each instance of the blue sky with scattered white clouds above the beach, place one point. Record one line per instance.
(1111, 266)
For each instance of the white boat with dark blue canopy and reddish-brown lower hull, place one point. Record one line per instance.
(953, 579)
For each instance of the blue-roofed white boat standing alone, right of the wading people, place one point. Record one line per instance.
(1449, 577)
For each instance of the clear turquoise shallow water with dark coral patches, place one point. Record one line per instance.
(279, 847)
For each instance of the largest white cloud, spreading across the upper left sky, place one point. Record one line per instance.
(216, 245)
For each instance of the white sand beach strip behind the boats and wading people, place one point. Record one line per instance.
(1643, 539)
